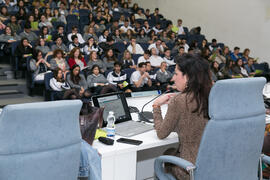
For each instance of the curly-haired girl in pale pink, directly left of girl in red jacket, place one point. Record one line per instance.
(58, 61)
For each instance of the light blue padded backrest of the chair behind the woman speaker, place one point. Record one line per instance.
(232, 140)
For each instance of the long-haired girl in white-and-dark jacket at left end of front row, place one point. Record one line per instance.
(61, 88)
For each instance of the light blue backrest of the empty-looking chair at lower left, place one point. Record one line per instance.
(40, 141)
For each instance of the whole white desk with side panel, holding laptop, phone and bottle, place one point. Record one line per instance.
(119, 162)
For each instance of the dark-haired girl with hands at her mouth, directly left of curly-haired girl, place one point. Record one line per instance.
(39, 66)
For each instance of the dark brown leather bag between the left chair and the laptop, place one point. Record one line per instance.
(91, 118)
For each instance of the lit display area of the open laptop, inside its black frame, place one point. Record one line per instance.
(114, 103)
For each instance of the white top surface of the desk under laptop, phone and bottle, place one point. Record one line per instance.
(150, 139)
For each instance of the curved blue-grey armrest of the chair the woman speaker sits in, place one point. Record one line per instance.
(188, 166)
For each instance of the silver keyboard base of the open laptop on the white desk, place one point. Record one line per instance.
(131, 128)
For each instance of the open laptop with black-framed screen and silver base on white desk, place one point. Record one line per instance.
(117, 103)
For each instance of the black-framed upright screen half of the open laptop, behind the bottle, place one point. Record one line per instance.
(115, 102)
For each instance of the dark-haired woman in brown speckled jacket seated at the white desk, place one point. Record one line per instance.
(187, 112)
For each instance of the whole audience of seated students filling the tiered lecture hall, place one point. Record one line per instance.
(95, 47)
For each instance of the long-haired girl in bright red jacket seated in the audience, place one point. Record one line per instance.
(76, 57)
